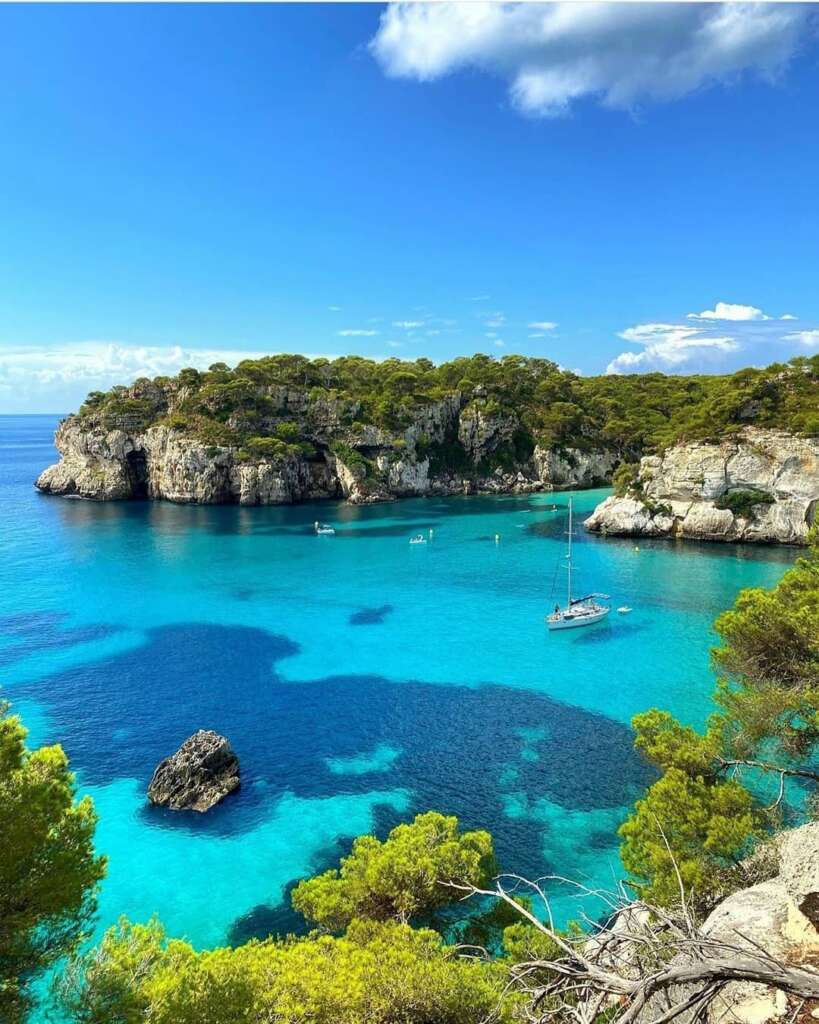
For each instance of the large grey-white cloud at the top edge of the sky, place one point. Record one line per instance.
(554, 55)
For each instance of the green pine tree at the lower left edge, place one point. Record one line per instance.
(49, 872)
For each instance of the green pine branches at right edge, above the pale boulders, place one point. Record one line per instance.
(700, 820)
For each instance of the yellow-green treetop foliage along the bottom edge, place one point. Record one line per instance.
(379, 973)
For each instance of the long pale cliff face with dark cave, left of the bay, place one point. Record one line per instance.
(447, 449)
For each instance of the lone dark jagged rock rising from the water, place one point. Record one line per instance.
(202, 773)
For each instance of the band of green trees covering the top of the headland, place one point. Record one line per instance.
(289, 401)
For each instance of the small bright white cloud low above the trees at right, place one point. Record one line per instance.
(669, 348)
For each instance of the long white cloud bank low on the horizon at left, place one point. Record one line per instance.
(57, 378)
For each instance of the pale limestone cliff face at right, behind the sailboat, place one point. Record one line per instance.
(762, 486)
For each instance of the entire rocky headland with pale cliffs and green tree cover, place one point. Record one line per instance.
(285, 430)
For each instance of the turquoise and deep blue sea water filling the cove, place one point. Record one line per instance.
(360, 679)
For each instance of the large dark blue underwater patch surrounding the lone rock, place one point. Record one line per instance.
(455, 740)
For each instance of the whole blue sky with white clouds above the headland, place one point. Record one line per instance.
(185, 184)
